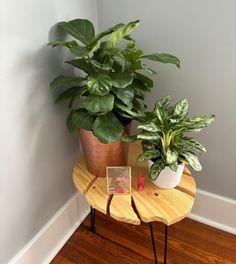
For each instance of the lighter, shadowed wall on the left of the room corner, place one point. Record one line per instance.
(37, 154)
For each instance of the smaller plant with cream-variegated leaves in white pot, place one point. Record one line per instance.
(165, 144)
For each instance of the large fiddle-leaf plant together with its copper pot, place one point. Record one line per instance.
(110, 91)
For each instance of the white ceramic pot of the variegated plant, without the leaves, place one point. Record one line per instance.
(168, 178)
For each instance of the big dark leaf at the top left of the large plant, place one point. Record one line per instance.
(81, 29)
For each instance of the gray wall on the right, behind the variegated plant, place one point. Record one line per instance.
(202, 34)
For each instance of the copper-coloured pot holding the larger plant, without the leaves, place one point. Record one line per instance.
(98, 155)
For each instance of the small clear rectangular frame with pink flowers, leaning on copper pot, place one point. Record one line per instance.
(118, 180)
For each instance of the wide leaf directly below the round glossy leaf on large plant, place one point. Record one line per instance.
(99, 104)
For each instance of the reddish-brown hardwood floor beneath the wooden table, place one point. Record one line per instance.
(190, 242)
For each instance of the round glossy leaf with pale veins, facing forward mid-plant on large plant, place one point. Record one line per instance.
(99, 84)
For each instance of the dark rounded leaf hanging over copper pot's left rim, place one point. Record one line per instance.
(82, 119)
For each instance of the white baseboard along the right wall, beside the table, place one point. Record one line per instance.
(215, 210)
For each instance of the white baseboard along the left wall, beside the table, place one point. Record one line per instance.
(51, 238)
